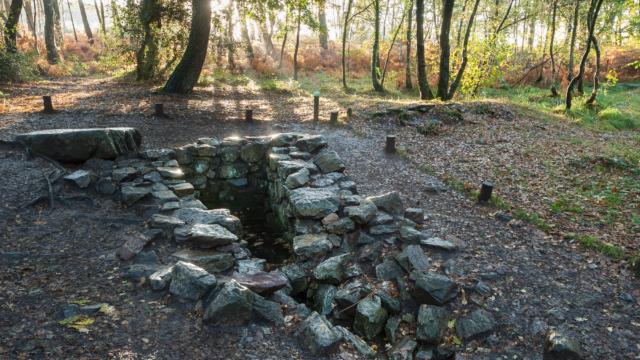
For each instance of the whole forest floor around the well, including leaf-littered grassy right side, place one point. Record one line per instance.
(532, 235)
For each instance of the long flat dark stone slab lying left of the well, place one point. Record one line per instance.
(77, 145)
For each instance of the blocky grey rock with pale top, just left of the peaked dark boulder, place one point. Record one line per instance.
(189, 281)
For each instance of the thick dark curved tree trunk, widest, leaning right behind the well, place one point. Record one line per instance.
(186, 74)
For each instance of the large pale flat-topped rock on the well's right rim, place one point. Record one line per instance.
(314, 202)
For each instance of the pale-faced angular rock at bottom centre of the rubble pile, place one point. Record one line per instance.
(318, 335)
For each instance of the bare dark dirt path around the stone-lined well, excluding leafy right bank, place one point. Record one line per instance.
(52, 257)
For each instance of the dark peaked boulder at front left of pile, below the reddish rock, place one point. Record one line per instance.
(232, 305)
